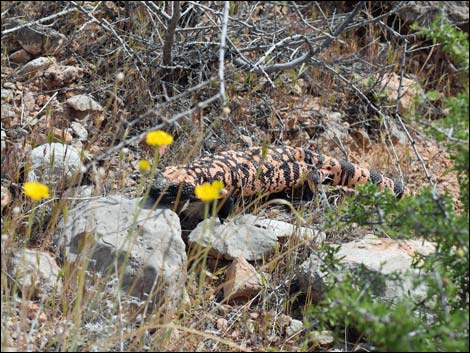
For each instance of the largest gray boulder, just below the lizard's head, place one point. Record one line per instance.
(115, 233)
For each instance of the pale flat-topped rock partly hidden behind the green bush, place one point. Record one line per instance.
(373, 259)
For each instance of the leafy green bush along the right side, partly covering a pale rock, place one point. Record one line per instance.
(440, 322)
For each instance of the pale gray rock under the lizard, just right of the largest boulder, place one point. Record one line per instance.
(238, 238)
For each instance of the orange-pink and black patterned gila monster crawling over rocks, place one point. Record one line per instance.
(252, 171)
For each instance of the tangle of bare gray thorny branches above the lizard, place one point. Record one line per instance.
(184, 36)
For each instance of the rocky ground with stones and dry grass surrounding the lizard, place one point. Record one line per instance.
(95, 268)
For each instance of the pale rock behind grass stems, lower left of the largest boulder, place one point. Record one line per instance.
(35, 272)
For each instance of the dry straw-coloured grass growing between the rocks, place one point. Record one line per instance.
(89, 313)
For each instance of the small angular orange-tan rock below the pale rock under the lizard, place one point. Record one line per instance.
(242, 281)
